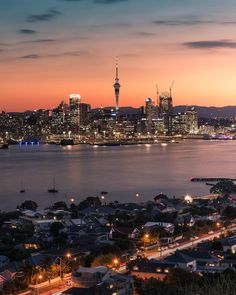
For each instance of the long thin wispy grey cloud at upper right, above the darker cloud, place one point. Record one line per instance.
(191, 22)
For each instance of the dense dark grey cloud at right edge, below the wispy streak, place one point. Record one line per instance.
(210, 44)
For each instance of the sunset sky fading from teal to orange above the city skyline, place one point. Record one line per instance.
(51, 48)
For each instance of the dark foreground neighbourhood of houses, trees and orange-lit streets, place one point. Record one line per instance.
(101, 247)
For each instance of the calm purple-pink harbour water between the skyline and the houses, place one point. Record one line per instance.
(82, 171)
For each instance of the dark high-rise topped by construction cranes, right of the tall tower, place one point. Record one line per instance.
(166, 111)
